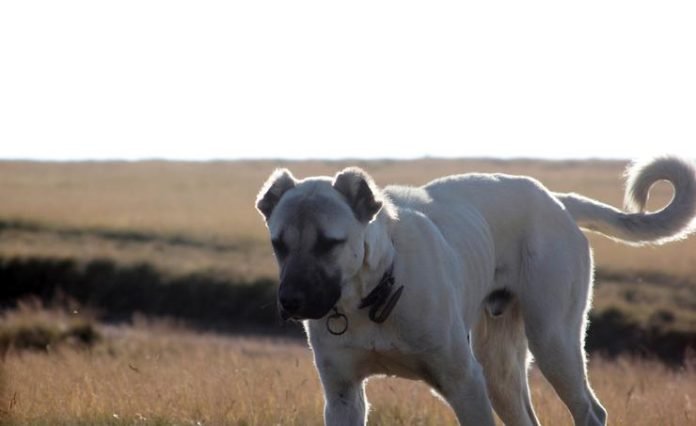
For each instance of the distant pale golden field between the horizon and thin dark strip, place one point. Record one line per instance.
(214, 202)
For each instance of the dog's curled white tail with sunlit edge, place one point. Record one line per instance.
(635, 226)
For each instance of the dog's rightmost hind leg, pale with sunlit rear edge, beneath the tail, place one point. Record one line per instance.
(554, 298)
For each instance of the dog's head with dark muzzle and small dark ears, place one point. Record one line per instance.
(317, 228)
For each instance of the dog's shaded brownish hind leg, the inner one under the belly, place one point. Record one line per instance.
(501, 347)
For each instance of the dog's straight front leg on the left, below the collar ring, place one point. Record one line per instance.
(345, 403)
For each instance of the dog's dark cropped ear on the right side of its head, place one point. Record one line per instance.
(360, 192)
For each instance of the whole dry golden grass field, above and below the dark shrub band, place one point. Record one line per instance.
(175, 221)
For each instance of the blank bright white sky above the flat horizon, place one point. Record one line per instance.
(200, 80)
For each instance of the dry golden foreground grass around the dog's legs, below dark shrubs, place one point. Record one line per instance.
(155, 375)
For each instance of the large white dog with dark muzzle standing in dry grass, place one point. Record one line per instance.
(454, 282)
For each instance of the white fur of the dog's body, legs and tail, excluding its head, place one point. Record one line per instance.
(456, 240)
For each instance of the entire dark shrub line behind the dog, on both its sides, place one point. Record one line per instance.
(210, 302)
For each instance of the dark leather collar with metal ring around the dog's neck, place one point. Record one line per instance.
(381, 301)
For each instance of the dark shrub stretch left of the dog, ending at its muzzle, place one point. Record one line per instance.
(117, 292)
